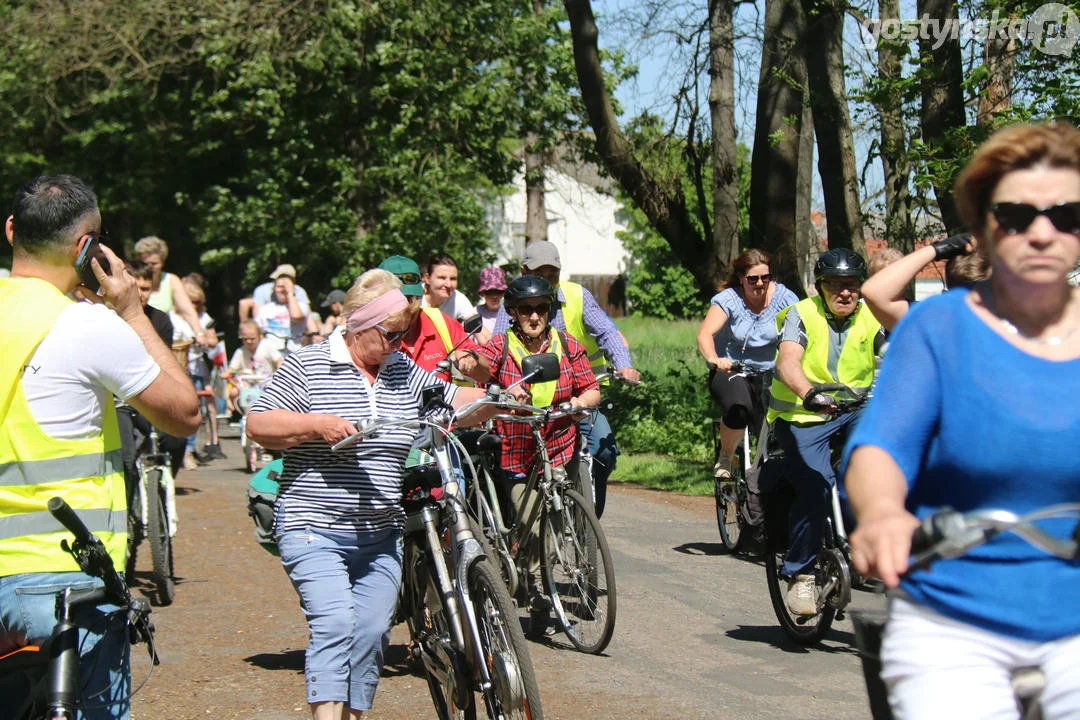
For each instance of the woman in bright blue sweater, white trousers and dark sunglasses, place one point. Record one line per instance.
(976, 410)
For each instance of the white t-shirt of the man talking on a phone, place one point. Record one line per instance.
(88, 357)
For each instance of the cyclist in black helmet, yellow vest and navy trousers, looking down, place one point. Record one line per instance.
(832, 337)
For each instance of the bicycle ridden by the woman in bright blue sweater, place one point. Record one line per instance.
(948, 534)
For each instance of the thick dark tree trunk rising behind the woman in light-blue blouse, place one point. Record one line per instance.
(775, 187)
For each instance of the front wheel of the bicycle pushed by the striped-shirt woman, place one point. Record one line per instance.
(515, 694)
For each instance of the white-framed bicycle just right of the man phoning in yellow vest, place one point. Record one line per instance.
(153, 515)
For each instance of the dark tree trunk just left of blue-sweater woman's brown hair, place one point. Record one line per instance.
(942, 100)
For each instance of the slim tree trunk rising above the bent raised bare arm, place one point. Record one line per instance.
(896, 164)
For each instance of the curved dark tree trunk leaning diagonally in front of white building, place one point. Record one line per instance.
(668, 213)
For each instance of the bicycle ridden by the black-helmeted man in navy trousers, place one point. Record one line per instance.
(833, 573)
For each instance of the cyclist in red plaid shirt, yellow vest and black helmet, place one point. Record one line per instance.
(531, 303)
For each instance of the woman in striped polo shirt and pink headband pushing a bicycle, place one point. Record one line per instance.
(339, 517)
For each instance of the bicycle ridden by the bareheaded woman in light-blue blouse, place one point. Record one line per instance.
(736, 494)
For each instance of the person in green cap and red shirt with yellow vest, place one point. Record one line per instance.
(433, 335)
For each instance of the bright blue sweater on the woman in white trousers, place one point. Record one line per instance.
(975, 423)
